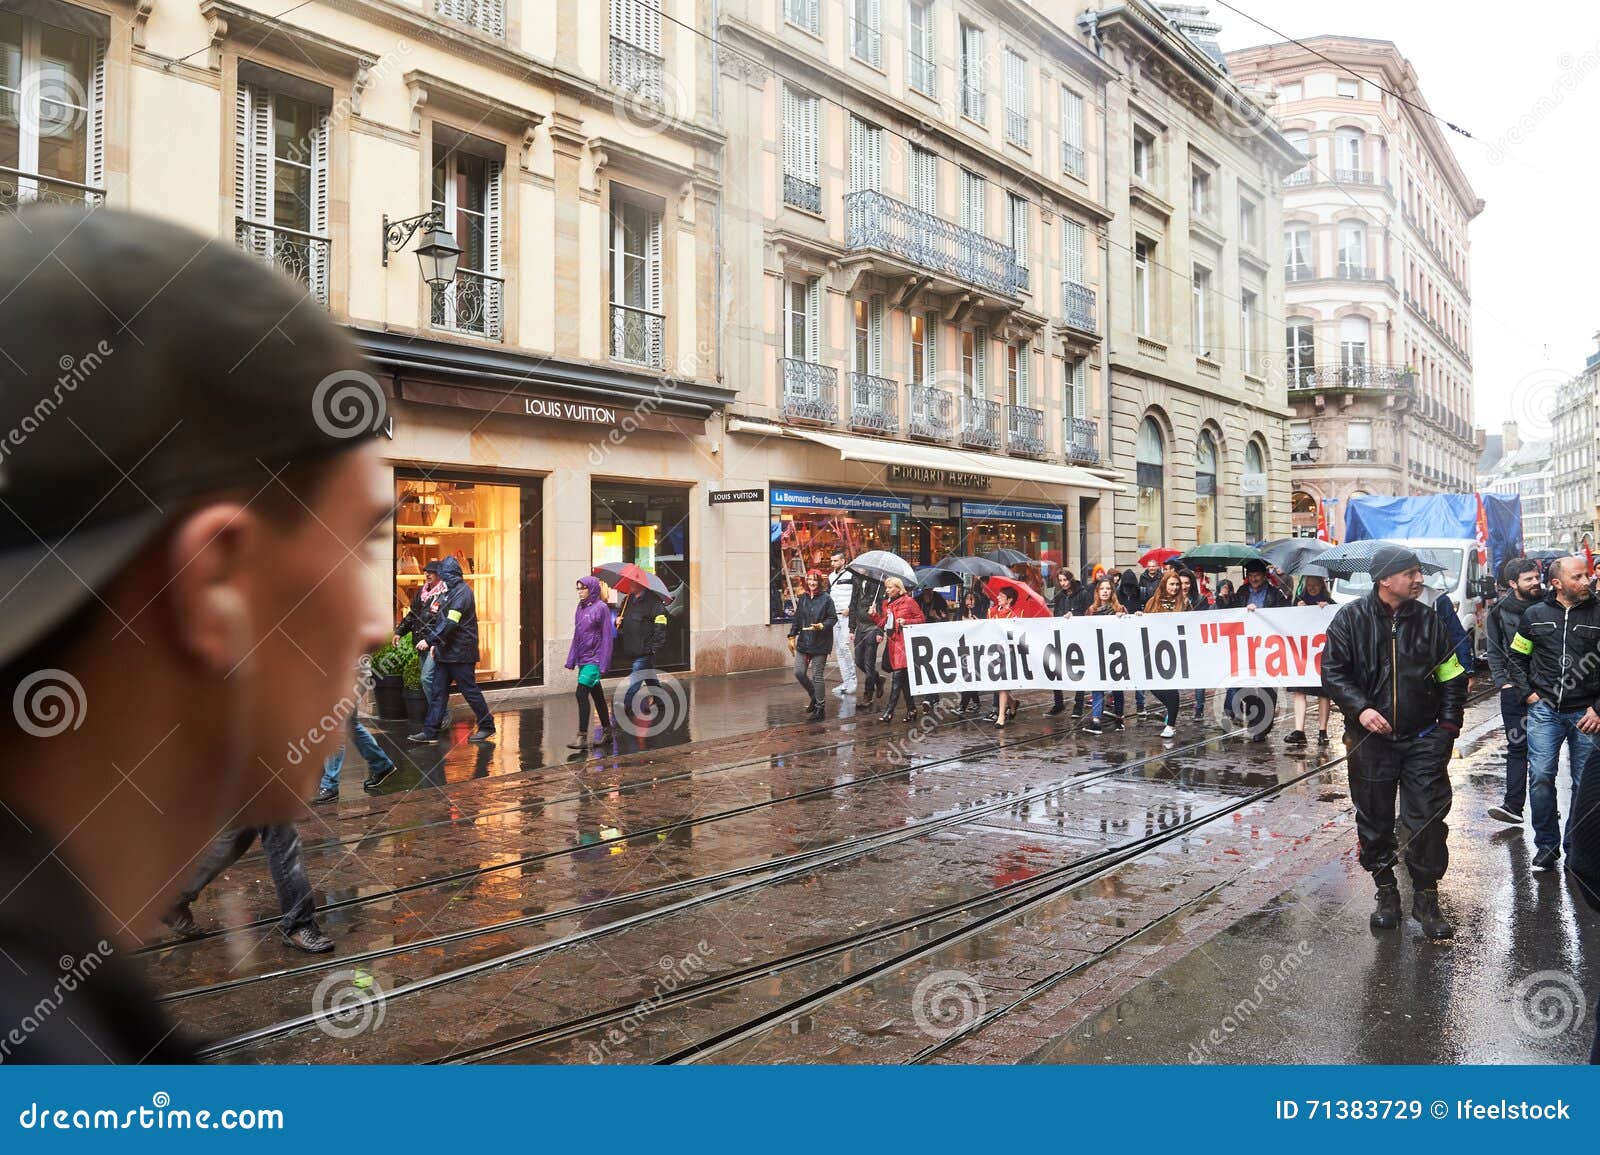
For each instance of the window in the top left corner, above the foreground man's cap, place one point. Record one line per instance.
(52, 114)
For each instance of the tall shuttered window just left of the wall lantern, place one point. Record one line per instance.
(281, 185)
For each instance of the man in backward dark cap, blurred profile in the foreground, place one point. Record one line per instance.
(182, 428)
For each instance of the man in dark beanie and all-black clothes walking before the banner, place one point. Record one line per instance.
(1402, 690)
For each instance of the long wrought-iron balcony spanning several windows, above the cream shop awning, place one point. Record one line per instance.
(929, 242)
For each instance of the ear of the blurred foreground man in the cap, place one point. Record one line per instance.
(214, 556)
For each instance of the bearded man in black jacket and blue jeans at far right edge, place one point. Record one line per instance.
(1554, 661)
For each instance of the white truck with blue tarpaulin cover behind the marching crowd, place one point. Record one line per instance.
(1444, 530)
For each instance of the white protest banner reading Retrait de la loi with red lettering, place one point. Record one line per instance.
(1202, 650)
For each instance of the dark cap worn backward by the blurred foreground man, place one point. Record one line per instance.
(143, 367)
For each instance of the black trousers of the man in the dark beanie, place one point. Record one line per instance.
(1418, 772)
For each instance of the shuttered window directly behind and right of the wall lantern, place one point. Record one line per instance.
(468, 196)
